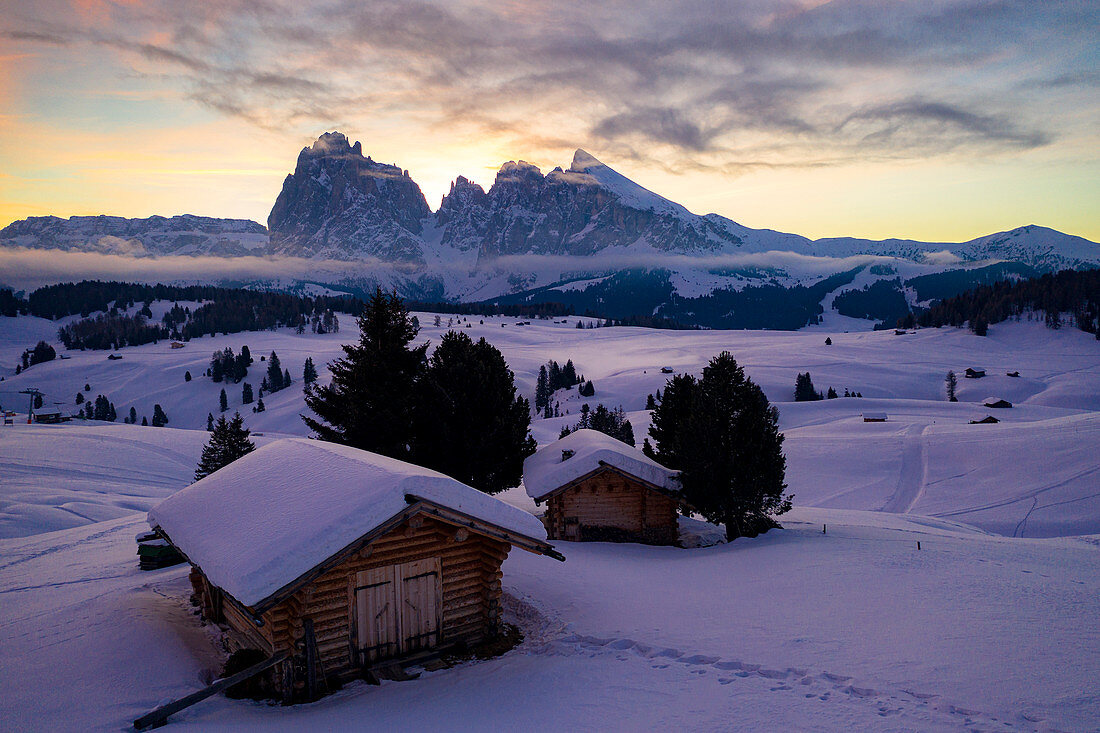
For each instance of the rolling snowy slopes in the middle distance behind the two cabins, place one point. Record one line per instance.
(926, 460)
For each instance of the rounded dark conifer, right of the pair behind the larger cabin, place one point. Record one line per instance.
(471, 425)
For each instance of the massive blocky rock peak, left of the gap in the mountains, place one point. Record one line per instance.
(343, 206)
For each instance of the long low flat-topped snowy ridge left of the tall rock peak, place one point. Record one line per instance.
(155, 236)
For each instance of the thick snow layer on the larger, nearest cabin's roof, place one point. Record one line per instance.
(273, 516)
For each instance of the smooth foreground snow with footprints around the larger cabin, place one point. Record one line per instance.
(798, 630)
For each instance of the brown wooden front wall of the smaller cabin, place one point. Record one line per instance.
(612, 500)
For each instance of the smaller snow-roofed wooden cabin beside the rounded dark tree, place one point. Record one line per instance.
(598, 488)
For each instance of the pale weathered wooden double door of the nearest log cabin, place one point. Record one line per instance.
(399, 609)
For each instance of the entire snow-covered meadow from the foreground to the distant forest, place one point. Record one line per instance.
(837, 621)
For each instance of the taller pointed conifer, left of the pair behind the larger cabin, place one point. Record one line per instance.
(367, 404)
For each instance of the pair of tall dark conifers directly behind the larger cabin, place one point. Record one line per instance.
(456, 412)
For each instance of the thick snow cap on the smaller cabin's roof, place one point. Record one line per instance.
(546, 471)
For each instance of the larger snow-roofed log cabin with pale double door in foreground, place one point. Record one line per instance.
(382, 559)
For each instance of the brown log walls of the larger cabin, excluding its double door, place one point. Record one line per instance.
(471, 583)
